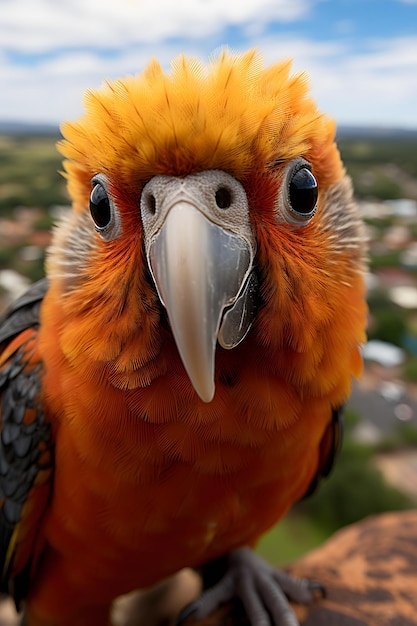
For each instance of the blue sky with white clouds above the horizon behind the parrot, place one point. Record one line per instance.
(361, 55)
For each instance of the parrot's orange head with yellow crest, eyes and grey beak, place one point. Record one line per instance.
(210, 206)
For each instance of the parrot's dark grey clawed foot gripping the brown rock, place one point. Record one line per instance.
(263, 591)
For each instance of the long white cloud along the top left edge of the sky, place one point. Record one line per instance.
(42, 25)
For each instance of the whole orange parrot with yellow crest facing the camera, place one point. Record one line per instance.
(176, 381)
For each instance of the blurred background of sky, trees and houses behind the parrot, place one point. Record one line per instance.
(361, 56)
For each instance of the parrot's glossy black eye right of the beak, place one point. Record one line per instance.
(299, 193)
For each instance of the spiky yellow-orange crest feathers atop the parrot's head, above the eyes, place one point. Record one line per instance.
(231, 114)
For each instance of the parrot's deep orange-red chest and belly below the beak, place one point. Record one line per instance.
(148, 492)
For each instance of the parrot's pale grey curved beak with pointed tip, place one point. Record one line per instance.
(199, 270)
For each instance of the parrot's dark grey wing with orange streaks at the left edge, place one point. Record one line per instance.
(25, 442)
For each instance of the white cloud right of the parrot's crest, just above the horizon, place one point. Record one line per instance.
(376, 86)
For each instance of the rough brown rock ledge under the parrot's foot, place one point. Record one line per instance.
(369, 571)
